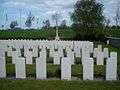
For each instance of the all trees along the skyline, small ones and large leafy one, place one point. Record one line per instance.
(87, 20)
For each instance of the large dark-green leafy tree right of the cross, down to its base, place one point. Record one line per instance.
(88, 20)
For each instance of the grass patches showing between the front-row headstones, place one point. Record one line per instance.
(53, 71)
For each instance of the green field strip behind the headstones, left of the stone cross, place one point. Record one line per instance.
(26, 34)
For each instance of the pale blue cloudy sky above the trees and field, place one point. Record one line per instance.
(44, 9)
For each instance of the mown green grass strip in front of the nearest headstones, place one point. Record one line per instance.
(10, 84)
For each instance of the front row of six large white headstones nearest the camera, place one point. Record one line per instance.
(41, 70)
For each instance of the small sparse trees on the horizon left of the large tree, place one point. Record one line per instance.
(46, 24)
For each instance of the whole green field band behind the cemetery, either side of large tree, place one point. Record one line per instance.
(47, 34)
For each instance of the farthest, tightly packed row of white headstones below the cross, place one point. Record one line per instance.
(48, 44)
